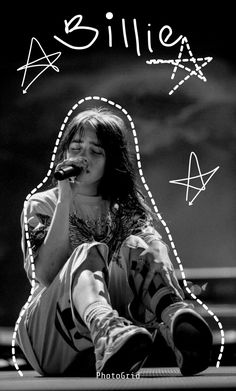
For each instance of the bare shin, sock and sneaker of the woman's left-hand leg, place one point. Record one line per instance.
(119, 345)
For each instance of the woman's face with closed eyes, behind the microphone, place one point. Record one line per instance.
(85, 145)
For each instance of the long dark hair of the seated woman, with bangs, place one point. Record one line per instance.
(119, 180)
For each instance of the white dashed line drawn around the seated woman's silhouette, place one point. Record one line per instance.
(137, 150)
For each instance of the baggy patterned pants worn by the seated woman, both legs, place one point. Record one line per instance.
(51, 333)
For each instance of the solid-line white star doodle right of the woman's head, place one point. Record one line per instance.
(186, 181)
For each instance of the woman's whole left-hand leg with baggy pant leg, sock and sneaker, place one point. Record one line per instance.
(62, 322)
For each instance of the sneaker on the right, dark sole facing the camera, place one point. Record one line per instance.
(189, 336)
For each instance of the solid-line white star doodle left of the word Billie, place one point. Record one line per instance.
(38, 63)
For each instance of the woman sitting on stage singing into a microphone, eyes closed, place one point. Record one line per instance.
(104, 278)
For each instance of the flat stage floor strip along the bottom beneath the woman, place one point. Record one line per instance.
(223, 378)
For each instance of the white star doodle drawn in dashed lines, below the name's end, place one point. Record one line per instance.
(178, 63)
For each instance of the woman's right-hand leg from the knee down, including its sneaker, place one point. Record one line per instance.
(183, 328)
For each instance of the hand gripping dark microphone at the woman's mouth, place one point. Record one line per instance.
(68, 169)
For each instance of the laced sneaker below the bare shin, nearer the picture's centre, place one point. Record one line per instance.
(120, 346)
